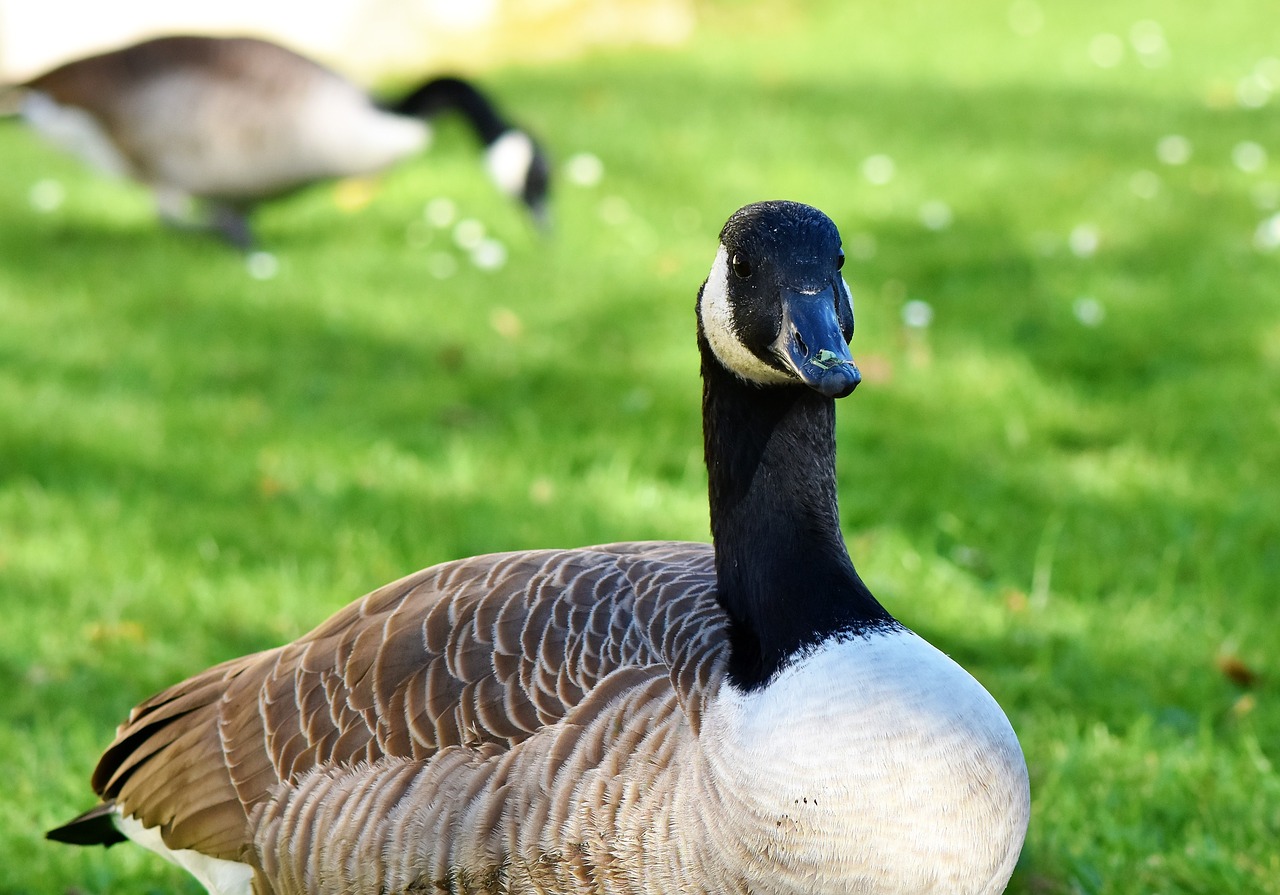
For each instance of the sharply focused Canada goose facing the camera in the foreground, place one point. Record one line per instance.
(638, 718)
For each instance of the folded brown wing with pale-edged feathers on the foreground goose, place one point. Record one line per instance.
(481, 652)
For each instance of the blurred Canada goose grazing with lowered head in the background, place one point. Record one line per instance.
(235, 121)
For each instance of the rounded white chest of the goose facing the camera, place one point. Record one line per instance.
(875, 765)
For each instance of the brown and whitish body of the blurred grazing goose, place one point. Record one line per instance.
(236, 120)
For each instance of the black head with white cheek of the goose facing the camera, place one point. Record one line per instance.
(775, 309)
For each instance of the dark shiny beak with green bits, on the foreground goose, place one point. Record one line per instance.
(813, 346)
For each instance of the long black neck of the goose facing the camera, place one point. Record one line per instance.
(783, 572)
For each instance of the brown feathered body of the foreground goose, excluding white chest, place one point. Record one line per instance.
(458, 682)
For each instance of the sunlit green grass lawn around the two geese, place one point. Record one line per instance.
(195, 464)
